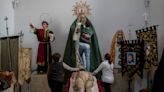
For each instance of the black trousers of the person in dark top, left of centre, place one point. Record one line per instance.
(55, 86)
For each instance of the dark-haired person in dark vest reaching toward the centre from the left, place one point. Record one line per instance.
(55, 73)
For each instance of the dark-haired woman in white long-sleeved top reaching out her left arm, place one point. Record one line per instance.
(107, 72)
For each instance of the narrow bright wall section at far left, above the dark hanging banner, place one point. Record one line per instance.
(6, 9)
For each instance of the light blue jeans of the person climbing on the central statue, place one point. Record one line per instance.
(85, 48)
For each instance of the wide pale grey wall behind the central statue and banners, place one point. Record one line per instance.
(107, 16)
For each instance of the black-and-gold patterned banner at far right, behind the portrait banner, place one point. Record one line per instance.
(149, 35)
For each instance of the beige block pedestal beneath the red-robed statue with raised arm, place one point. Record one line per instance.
(39, 83)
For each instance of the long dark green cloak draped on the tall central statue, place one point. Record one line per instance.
(69, 54)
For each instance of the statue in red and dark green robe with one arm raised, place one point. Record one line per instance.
(45, 36)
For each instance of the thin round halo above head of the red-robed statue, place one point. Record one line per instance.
(45, 17)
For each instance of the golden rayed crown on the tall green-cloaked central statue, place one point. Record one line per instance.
(81, 8)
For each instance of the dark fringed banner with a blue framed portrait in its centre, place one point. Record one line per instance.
(132, 57)
